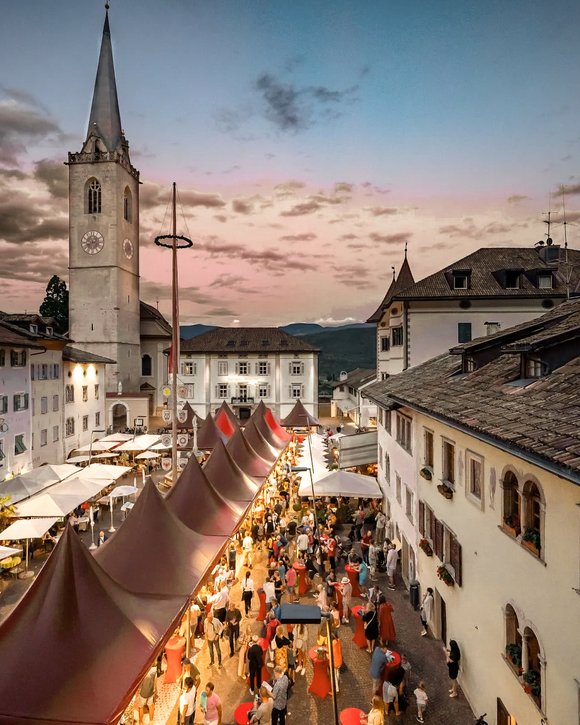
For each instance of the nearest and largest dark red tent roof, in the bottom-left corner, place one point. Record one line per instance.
(77, 645)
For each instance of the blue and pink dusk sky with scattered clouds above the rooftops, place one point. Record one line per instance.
(309, 141)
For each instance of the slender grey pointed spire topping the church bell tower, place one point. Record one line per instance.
(105, 118)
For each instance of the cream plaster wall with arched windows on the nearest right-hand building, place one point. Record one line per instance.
(497, 570)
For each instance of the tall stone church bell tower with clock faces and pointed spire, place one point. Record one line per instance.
(104, 235)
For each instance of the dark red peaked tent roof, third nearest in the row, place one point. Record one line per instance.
(213, 517)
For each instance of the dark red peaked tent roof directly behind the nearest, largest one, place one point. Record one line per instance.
(153, 552)
